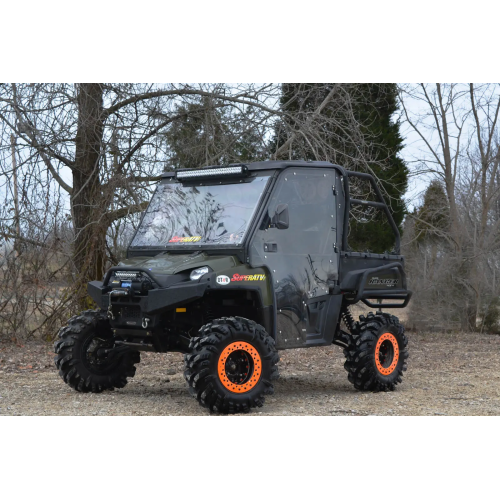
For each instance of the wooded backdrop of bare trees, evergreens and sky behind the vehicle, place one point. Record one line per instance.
(79, 162)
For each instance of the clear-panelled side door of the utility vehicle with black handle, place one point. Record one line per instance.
(302, 259)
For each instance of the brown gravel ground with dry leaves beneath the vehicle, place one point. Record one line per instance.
(448, 374)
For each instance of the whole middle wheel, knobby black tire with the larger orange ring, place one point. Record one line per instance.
(231, 365)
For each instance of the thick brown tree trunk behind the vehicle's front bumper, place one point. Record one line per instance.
(88, 203)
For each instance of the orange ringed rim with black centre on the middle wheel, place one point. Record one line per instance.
(239, 367)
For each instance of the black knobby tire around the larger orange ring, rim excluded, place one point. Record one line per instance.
(201, 365)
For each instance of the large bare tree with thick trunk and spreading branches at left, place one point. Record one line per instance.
(110, 139)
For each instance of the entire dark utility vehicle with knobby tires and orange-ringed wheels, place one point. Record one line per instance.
(231, 264)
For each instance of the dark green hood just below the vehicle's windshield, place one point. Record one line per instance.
(170, 263)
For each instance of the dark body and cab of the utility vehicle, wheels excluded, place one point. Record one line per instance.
(266, 241)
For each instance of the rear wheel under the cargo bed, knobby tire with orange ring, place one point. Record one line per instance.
(377, 353)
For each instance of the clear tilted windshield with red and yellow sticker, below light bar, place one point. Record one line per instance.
(202, 215)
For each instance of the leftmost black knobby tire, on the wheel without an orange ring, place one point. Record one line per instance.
(71, 358)
